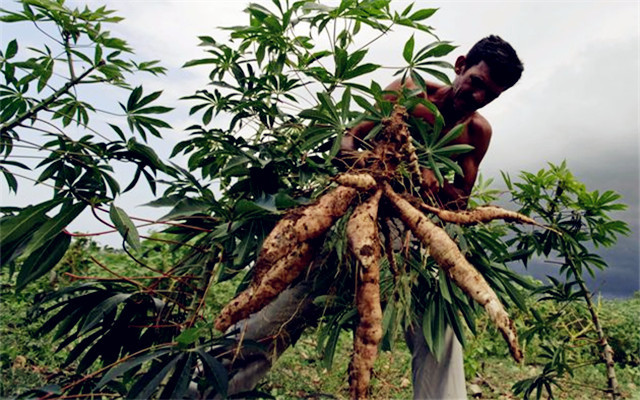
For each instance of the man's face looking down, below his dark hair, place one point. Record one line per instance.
(473, 87)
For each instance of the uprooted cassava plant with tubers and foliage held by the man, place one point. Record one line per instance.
(276, 52)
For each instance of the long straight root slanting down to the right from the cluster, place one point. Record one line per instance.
(446, 254)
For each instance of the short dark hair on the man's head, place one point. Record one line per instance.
(504, 64)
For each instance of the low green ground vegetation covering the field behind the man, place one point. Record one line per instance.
(28, 360)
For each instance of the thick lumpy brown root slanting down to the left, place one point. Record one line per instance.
(285, 253)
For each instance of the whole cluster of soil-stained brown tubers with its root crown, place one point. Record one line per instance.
(290, 247)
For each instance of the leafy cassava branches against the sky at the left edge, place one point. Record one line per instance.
(47, 133)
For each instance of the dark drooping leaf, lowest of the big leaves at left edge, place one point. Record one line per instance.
(42, 261)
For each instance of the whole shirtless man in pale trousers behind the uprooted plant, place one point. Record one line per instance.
(490, 68)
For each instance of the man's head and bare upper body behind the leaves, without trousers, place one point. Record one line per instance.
(490, 68)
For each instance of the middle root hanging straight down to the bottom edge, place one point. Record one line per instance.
(362, 234)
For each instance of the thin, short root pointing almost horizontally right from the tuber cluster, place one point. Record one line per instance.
(479, 215)
